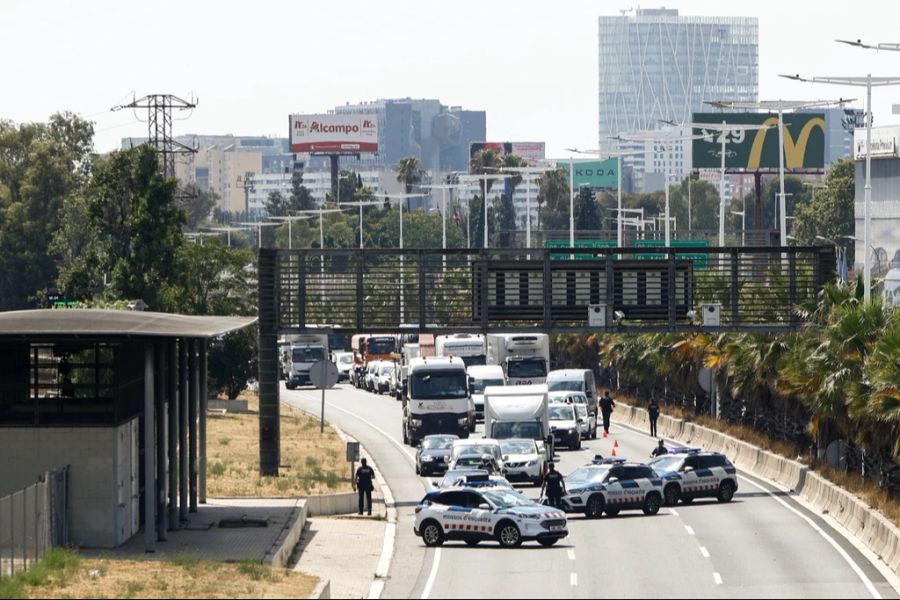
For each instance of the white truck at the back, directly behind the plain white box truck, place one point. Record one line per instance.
(523, 356)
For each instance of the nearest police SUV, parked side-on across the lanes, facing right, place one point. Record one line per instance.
(474, 515)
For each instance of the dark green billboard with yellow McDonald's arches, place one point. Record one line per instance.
(804, 141)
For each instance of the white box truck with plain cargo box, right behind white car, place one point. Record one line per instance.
(518, 412)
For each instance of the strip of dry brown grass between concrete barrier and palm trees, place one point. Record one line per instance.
(866, 489)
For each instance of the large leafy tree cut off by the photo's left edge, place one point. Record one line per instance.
(42, 165)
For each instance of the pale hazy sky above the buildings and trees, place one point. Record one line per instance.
(532, 65)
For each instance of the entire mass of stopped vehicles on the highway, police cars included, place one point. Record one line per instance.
(448, 384)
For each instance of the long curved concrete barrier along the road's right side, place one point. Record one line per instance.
(868, 526)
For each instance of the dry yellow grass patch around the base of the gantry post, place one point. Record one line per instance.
(312, 462)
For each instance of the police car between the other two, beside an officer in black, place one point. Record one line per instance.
(610, 486)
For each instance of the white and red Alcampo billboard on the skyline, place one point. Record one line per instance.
(334, 134)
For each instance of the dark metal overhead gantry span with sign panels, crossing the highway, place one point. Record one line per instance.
(643, 289)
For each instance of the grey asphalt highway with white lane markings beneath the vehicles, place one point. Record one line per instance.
(761, 545)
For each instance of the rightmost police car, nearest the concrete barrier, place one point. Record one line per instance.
(691, 473)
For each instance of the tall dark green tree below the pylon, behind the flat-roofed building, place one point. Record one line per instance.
(132, 213)
